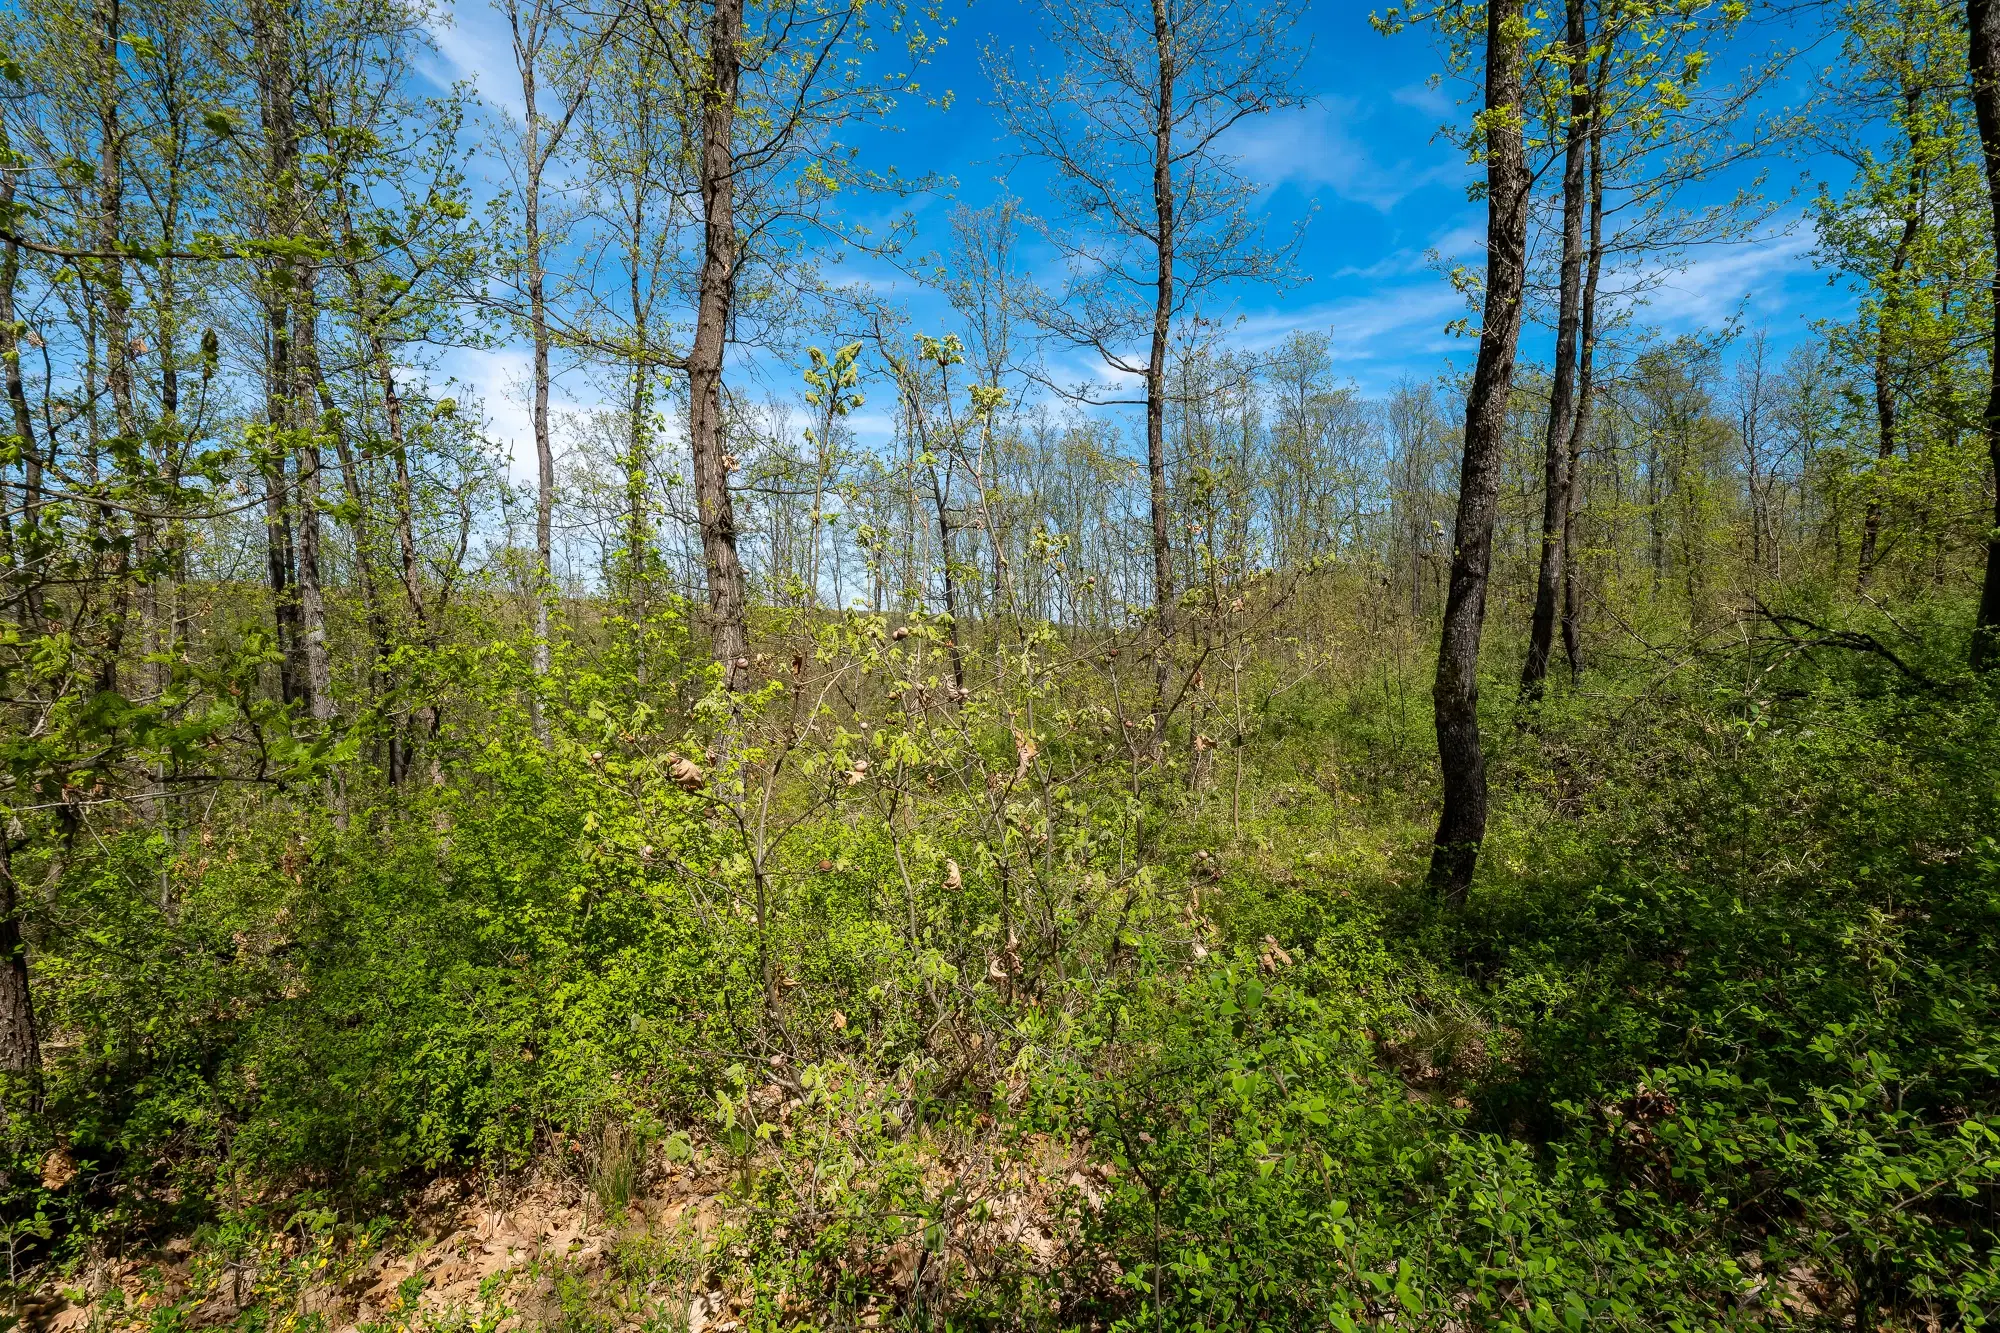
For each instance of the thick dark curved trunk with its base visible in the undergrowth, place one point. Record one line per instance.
(1457, 692)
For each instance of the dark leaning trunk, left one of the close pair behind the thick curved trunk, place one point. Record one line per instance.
(1563, 393)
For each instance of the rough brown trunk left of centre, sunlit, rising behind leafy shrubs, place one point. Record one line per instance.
(715, 299)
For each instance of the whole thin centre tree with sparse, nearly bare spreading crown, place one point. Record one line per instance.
(1131, 119)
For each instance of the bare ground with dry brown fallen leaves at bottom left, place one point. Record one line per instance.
(549, 1250)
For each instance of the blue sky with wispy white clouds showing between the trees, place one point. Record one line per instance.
(1363, 159)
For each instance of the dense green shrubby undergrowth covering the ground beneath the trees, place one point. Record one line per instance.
(1713, 1044)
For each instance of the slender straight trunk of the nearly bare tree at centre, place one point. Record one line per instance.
(1163, 315)
